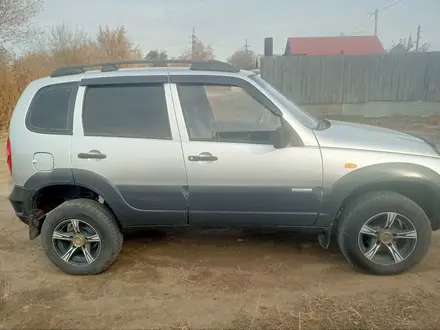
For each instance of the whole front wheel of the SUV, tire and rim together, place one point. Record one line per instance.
(384, 233)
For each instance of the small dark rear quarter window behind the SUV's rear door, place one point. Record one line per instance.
(51, 110)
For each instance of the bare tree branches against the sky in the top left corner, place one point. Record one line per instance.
(16, 20)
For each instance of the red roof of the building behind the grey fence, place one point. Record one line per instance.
(348, 45)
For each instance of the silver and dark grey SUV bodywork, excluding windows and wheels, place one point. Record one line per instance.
(151, 182)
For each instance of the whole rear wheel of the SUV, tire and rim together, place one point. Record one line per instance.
(81, 237)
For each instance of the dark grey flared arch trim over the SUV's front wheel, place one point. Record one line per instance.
(417, 182)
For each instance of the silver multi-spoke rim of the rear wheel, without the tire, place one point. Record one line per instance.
(76, 242)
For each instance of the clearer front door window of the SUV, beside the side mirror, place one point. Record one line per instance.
(226, 113)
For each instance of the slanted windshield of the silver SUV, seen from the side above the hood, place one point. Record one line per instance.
(305, 118)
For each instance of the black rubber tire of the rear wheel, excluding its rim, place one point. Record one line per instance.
(95, 214)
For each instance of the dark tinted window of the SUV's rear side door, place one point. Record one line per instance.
(130, 111)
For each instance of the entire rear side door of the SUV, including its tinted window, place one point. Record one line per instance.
(126, 147)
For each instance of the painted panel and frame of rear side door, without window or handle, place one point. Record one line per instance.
(148, 174)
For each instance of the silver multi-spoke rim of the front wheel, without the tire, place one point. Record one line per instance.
(387, 238)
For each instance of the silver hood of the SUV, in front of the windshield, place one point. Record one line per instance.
(365, 137)
